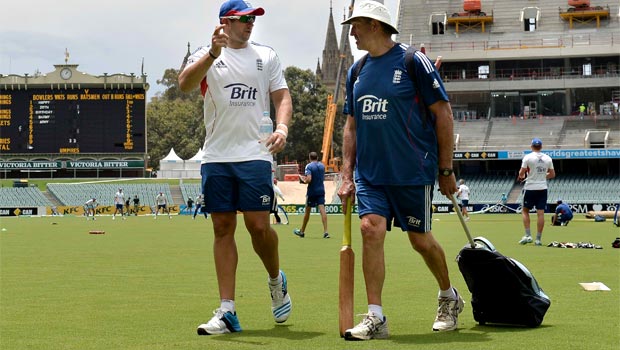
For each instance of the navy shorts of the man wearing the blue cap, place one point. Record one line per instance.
(244, 186)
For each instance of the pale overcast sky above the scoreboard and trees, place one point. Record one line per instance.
(113, 36)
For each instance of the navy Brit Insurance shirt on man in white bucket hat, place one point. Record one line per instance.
(395, 146)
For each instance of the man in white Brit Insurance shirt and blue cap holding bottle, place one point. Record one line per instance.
(237, 78)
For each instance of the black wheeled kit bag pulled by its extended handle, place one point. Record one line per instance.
(503, 290)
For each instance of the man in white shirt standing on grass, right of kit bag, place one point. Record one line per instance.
(536, 169)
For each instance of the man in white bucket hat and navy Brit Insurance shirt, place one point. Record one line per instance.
(392, 155)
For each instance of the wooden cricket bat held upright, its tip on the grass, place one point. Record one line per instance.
(347, 266)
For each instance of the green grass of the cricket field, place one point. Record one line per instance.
(147, 284)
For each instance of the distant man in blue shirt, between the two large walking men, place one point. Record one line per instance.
(314, 176)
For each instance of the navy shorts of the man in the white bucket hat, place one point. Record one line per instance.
(409, 206)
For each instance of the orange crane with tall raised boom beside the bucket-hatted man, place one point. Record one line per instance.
(332, 164)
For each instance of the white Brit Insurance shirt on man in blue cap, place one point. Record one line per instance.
(239, 83)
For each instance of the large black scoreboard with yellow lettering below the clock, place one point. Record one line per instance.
(85, 120)
